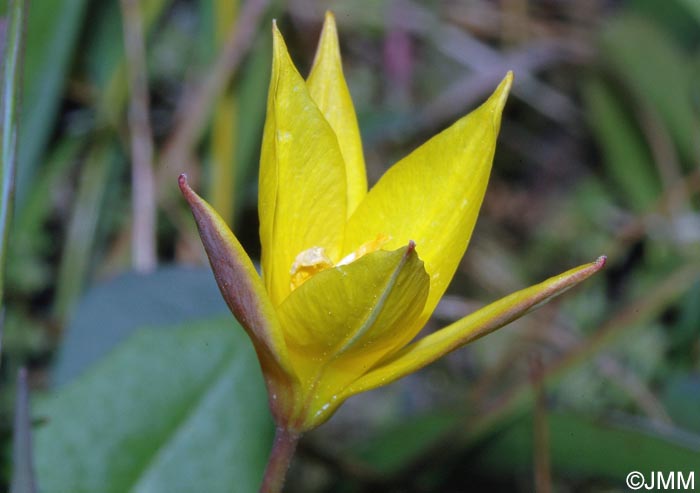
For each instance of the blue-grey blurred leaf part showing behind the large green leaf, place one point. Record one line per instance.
(166, 297)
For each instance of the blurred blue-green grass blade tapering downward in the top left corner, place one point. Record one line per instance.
(52, 31)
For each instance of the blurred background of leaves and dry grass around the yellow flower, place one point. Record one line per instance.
(138, 381)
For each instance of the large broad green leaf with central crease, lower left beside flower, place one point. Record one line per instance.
(172, 411)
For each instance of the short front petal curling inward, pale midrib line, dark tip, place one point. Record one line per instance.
(343, 320)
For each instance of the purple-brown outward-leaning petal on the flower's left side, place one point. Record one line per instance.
(240, 285)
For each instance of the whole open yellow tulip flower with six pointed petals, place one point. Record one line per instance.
(350, 276)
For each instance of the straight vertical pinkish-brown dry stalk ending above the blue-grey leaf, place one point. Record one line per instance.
(143, 240)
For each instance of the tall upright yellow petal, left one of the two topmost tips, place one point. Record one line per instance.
(302, 195)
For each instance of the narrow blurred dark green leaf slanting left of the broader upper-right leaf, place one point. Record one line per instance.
(625, 155)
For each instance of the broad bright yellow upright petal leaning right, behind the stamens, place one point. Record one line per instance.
(433, 196)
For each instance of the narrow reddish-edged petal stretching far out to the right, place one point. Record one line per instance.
(478, 324)
